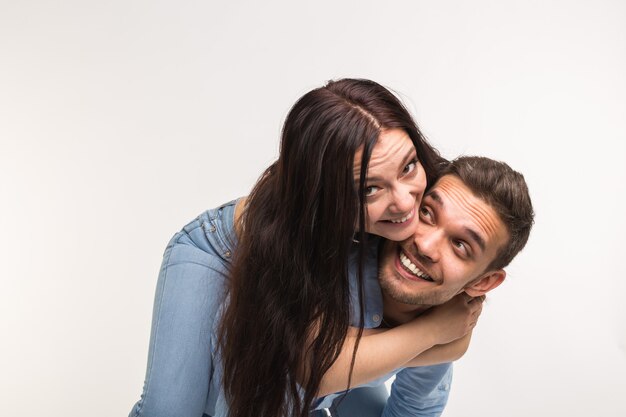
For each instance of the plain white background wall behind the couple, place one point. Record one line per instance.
(120, 121)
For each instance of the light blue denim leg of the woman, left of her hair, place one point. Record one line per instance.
(190, 292)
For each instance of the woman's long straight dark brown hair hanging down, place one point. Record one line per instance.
(289, 298)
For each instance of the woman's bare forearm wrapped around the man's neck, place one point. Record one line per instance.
(382, 351)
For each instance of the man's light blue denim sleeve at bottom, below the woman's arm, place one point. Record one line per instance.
(420, 391)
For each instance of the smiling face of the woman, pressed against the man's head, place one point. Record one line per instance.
(394, 186)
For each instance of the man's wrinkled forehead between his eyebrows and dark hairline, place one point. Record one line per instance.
(462, 206)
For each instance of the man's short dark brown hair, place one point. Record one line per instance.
(505, 190)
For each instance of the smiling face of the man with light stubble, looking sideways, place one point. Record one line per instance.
(458, 235)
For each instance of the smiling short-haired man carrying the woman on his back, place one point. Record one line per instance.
(473, 222)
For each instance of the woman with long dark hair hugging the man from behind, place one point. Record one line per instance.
(284, 304)
